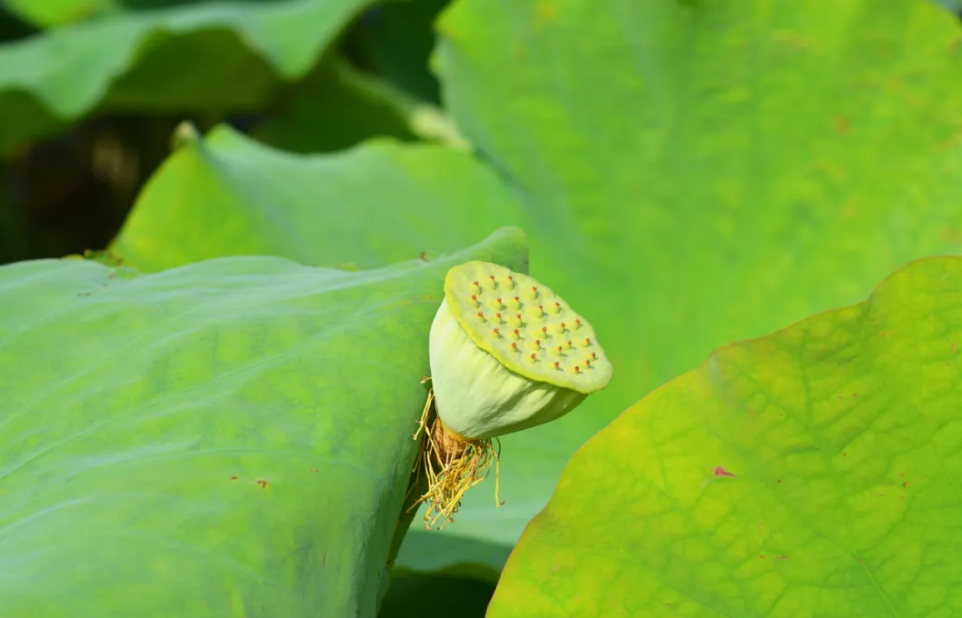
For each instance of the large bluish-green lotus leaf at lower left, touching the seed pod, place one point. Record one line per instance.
(230, 438)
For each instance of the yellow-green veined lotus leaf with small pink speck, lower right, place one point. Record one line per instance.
(811, 472)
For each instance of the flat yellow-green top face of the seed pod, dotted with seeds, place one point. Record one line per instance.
(526, 326)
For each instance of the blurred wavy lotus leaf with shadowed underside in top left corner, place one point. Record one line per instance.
(216, 56)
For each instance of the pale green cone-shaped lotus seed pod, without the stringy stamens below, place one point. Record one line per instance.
(487, 384)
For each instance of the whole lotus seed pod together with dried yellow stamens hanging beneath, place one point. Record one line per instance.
(506, 354)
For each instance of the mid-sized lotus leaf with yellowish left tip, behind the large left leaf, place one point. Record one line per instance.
(229, 195)
